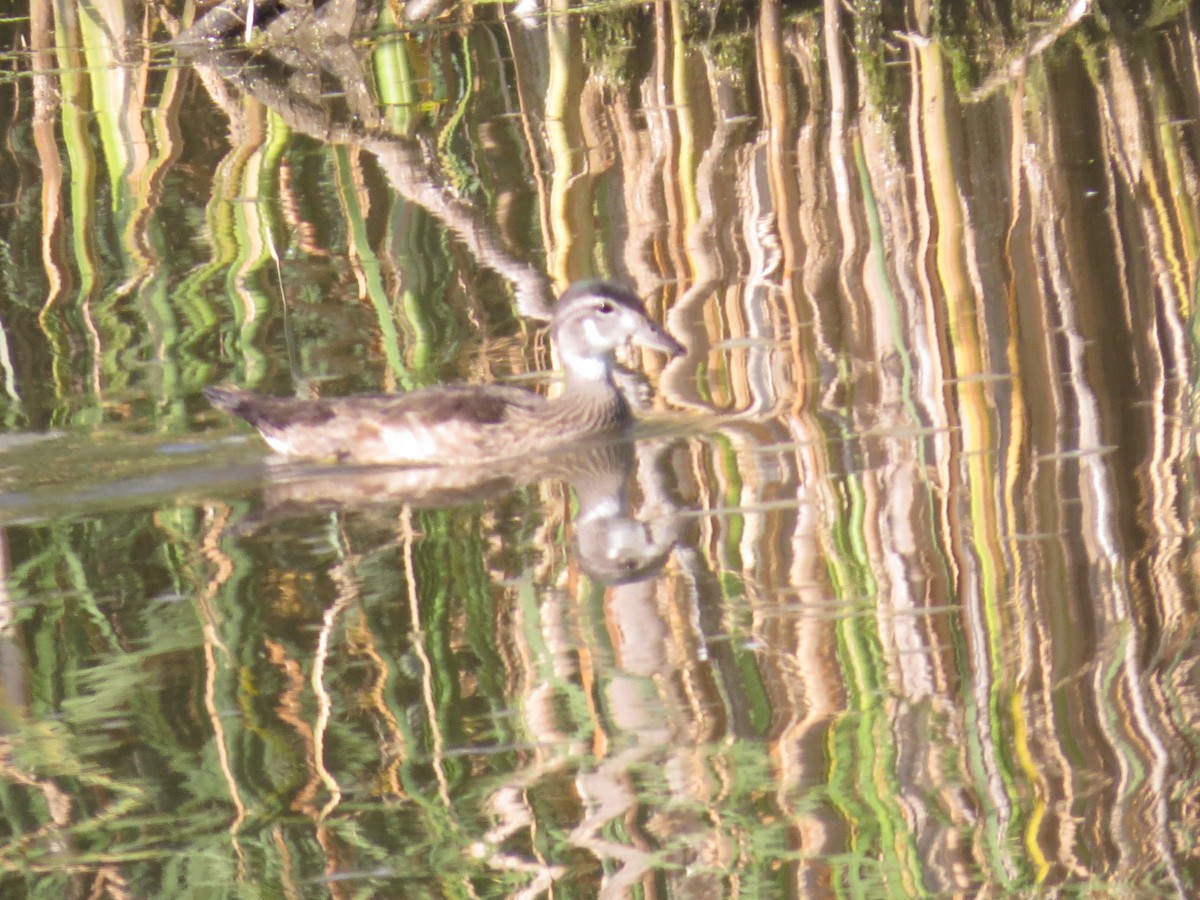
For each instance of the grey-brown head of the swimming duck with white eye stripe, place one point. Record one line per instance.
(593, 319)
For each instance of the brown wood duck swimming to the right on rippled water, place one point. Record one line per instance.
(461, 425)
